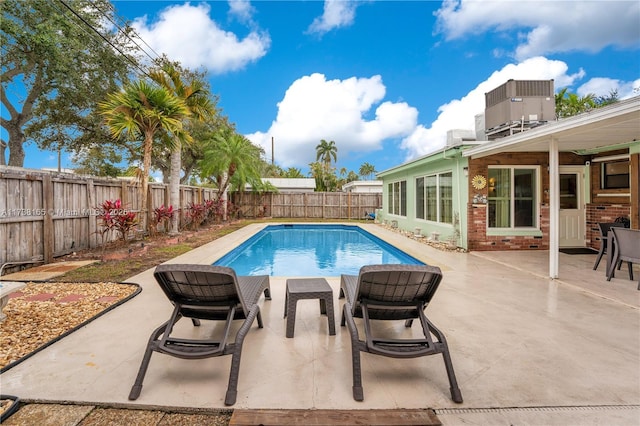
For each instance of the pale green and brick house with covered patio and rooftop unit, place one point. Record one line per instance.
(535, 184)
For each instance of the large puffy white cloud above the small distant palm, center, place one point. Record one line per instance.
(314, 108)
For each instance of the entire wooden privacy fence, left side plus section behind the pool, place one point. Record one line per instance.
(44, 215)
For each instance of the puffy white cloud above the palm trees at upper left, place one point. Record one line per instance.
(187, 34)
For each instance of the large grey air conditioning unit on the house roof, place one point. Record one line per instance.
(518, 105)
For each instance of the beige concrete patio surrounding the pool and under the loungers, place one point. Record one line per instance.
(526, 349)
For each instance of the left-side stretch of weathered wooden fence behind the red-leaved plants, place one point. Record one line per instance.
(47, 214)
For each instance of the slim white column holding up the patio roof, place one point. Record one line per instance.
(554, 207)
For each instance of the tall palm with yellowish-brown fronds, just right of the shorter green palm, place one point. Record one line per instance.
(196, 97)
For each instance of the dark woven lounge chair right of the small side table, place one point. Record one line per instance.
(393, 292)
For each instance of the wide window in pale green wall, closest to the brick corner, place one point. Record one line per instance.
(434, 197)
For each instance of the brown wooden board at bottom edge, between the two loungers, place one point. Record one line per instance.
(312, 417)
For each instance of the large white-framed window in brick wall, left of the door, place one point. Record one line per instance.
(513, 197)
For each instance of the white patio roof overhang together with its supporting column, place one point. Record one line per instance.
(603, 129)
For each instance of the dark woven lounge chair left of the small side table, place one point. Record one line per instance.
(204, 292)
